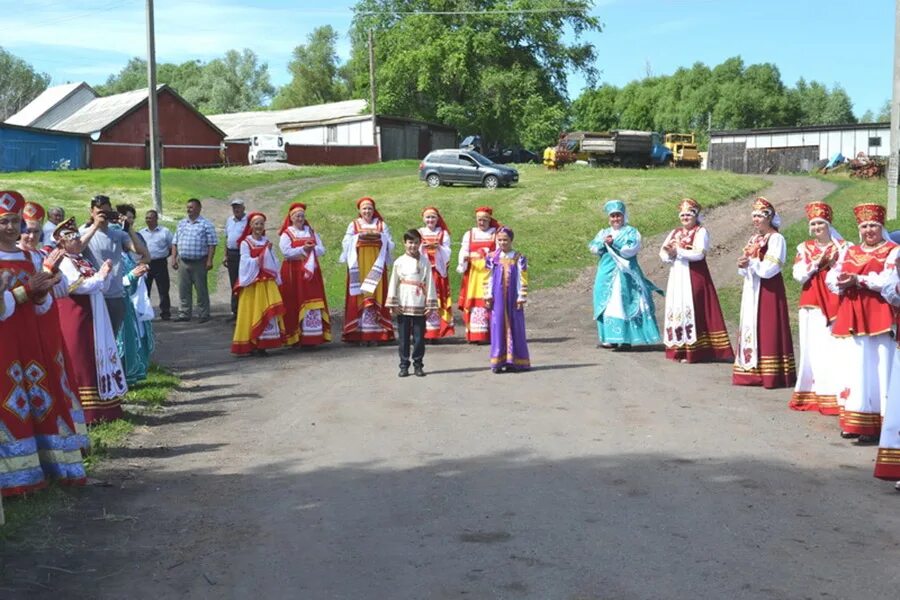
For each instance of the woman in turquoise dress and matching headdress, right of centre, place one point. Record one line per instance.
(623, 302)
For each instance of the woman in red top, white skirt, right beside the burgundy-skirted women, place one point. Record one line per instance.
(815, 389)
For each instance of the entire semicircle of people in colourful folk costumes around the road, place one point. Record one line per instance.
(69, 367)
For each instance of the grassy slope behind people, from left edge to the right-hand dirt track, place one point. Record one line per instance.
(553, 213)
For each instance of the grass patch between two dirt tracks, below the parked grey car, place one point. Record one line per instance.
(553, 213)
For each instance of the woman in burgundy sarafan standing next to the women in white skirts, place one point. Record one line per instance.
(765, 353)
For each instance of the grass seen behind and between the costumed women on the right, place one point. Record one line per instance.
(848, 194)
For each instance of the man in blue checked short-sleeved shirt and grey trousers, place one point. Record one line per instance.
(192, 256)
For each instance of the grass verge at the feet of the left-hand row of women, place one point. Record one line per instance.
(24, 513)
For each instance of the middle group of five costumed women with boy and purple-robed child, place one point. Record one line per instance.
(286, 305)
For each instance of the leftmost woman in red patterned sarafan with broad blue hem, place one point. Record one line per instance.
(37, 434)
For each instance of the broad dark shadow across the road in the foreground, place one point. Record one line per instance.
(509, 525)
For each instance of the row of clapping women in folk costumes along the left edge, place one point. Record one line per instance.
(64, 364)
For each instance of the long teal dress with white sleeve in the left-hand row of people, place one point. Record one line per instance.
(135, 339)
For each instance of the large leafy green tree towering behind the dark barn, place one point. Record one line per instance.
(481, 70)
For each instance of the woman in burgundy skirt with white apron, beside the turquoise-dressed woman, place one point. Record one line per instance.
(694, 329)
